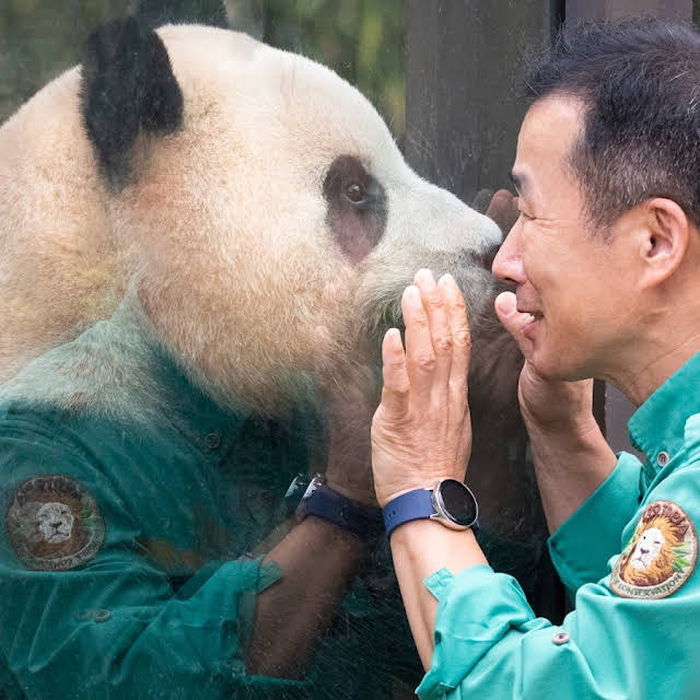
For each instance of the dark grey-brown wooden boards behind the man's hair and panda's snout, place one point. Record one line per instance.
(464, 78)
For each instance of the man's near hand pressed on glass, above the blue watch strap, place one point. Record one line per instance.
(421, 431)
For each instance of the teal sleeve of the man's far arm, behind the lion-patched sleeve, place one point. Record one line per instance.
(580, 558)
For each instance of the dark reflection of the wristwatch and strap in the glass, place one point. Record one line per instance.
(322, 501)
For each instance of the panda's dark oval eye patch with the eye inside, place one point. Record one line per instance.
(357, 209)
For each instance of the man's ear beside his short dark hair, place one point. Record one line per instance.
(665, 240)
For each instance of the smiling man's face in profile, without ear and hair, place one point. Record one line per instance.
(574, 281)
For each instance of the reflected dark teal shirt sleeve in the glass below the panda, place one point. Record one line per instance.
(111, 627)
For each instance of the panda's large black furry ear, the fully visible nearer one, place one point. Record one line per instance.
(127, 86)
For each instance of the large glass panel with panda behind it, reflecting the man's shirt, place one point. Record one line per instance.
(202, 242)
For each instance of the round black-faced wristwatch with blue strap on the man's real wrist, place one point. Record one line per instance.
(450, 502)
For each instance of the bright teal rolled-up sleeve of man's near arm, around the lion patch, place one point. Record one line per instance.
(488, 642)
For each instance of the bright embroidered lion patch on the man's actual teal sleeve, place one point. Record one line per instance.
(660, 556)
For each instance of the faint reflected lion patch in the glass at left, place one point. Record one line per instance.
(54, 524)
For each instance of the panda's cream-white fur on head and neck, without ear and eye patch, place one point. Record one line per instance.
(223, 233)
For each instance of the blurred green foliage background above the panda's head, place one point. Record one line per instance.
(362, 40)
